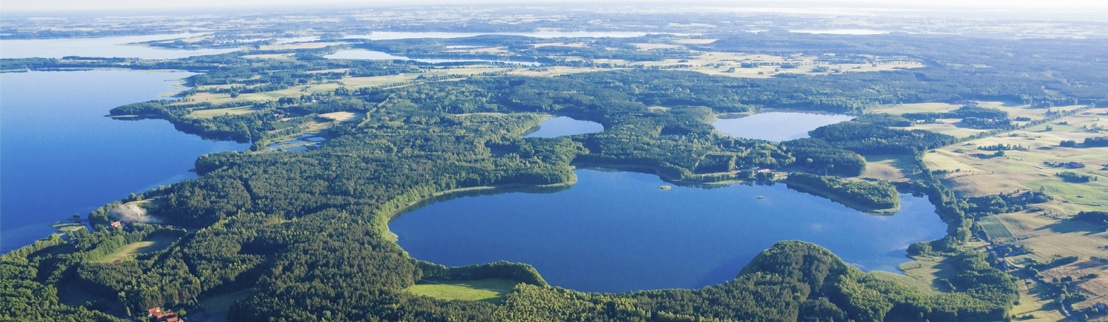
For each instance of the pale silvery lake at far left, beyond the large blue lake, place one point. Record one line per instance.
(107, 47)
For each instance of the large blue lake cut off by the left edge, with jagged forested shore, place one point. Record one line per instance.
(59, 155)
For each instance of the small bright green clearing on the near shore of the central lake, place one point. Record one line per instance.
(489, 290)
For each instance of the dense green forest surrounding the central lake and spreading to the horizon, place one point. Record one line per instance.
(305, 233)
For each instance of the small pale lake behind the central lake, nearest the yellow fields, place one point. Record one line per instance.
(777, 127)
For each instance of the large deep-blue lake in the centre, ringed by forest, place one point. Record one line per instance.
(615, 232)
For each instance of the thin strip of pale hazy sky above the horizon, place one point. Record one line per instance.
(20, 6)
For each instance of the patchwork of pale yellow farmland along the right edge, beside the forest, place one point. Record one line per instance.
(1045, 231)
